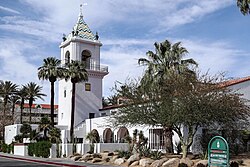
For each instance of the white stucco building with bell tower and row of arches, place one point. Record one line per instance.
(81, 44)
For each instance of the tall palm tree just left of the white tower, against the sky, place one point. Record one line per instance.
(51, 70)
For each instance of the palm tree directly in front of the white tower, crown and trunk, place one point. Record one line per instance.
(76, 72)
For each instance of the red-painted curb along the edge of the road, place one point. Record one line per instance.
(42, 162)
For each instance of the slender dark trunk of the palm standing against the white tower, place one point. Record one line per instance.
(72, 112)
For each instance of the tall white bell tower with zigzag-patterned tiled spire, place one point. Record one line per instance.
(81, 44)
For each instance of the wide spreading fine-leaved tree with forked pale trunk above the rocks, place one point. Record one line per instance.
(184, 101)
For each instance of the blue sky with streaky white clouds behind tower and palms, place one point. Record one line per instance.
(215, 33)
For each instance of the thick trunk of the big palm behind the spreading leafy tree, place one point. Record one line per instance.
(167, 132)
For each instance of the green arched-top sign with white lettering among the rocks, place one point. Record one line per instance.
(218, 152)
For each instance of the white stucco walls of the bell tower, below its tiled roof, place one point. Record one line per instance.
(86, 101)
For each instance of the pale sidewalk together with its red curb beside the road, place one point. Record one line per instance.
(51, 161)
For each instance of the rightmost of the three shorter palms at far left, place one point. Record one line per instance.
(33, 91)
